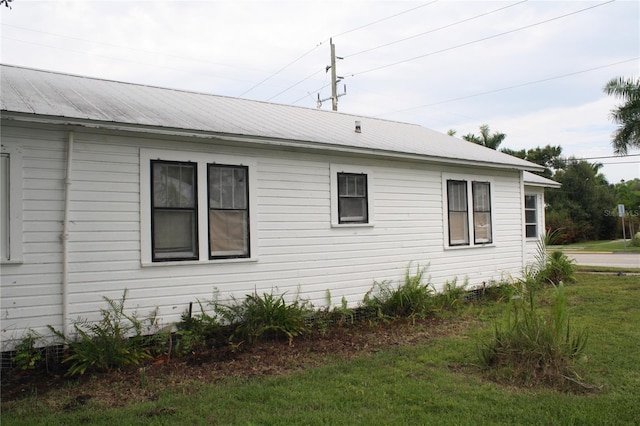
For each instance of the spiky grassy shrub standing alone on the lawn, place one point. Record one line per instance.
(531, 347)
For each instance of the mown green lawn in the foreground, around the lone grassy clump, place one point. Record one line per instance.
(436, 381)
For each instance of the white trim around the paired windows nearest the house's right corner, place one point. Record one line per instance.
(469, 179)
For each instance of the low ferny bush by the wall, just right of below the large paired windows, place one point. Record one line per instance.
(267, 316)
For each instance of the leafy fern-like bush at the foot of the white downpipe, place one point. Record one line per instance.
(117, 340)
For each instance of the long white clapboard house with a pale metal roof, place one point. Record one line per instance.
(109, 186)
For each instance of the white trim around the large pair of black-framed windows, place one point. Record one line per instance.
(201, 159)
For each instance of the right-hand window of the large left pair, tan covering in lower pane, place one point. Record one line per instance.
(228, 211)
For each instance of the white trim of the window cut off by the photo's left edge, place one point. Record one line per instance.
(15, 205)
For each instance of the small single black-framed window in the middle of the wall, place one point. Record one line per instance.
(352, 198)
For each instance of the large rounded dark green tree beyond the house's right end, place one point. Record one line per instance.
(582, 208)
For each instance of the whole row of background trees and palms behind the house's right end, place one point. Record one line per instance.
(585, 206)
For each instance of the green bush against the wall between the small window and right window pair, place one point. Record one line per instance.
(412, 299)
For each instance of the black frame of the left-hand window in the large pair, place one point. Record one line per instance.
(154, 252)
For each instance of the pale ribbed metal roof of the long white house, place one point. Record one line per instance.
(37, 93)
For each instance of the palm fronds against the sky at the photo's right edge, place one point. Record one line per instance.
(627, 114)
